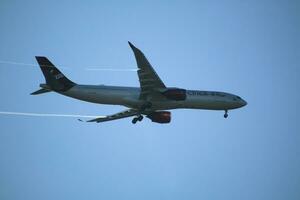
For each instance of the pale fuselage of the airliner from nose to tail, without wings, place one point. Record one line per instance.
(130, 97)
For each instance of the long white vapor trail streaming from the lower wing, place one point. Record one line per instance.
(46, 115)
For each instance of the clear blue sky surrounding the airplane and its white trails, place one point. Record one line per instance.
(249, 48)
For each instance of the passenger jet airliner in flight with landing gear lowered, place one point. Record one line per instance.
(152, 99)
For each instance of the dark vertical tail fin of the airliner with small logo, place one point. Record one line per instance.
(55, 80)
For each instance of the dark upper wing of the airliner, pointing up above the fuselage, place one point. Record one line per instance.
(149, 80)
